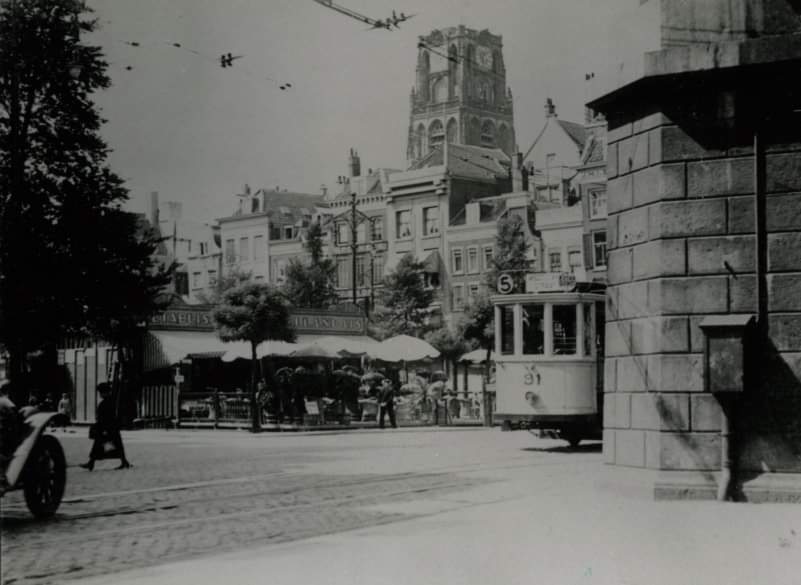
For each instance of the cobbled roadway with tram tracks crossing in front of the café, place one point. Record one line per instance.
(196, 493)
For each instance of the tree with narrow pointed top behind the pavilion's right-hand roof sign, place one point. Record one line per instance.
(312, 285)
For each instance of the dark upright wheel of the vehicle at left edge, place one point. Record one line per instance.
(45, 477)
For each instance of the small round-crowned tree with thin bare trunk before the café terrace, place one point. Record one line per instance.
(253, 312)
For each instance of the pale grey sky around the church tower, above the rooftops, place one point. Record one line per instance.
(180, 124)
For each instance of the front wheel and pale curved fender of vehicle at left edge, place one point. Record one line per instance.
(38, 466)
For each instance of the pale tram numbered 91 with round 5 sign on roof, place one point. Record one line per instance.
(549, 356)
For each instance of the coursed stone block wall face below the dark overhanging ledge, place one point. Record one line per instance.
(682, 246)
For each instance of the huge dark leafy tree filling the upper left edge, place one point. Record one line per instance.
(66, 247)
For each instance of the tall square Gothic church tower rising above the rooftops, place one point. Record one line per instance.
(460, 93)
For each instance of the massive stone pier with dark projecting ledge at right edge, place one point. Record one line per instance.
(696, 129)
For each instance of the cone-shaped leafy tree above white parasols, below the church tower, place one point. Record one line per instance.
(406, 300)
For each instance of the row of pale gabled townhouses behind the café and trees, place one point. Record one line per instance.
(443, 210)
